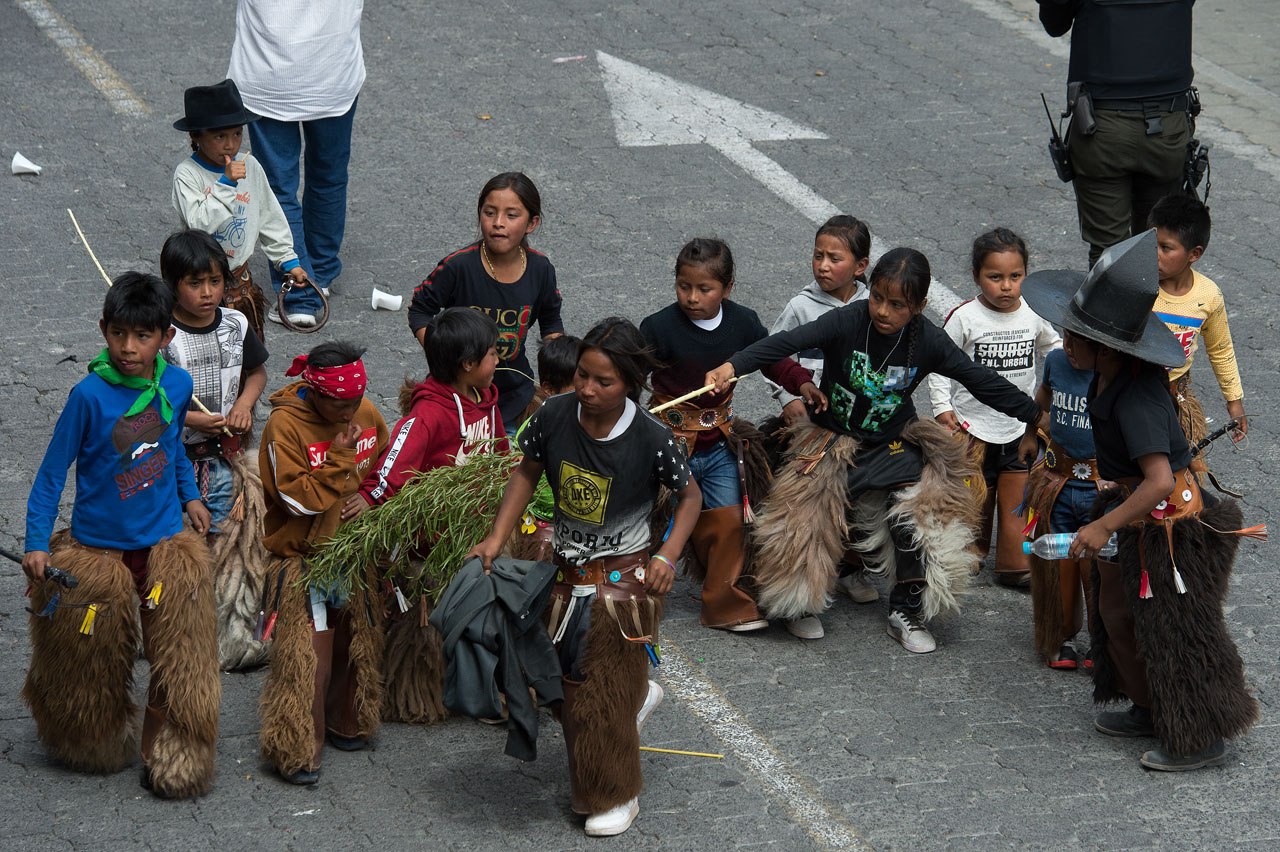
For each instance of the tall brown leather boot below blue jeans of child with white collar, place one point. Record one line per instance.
(720, 543)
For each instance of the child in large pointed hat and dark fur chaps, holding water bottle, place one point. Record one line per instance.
(1160, 639)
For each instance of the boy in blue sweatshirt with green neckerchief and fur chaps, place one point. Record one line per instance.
(122, 428)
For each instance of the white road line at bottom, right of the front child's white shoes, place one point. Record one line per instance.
(802, 801)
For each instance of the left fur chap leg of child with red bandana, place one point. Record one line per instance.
(285, 711)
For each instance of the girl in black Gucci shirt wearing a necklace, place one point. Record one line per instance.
(504, 278)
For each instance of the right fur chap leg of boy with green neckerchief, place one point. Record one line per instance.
(185, 666)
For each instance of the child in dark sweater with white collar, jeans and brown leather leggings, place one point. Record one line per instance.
(691, 338)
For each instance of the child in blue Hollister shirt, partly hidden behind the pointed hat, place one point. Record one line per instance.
(1060, 493)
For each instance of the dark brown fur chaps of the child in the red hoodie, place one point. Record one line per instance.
(414, 667)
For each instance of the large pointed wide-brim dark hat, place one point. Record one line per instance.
(1113, 304)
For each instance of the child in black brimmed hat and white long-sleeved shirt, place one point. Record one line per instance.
(220, 191)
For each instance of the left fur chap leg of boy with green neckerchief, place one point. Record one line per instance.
(80, 688)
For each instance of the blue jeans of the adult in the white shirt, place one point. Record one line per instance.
(321, 221)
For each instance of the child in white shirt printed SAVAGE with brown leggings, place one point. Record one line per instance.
(999, 332)
